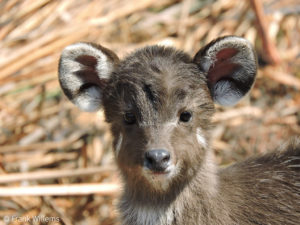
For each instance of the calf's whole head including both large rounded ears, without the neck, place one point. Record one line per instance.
(159, 102)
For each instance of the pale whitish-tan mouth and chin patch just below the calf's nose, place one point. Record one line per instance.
(160, 181)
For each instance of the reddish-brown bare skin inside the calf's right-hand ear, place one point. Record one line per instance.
(222, 67)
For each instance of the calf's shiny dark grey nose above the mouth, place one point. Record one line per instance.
(157, 160)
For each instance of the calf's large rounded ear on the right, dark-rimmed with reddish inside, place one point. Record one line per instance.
(230, 66)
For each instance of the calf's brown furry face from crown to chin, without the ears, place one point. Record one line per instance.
(159, 108)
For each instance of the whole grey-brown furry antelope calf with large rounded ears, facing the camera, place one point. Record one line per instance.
(159, 103)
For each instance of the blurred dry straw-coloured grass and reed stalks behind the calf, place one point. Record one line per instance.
(56, 162)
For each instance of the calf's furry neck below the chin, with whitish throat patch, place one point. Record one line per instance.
(139, 206)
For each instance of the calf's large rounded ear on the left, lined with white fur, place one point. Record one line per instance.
(84, 69)
